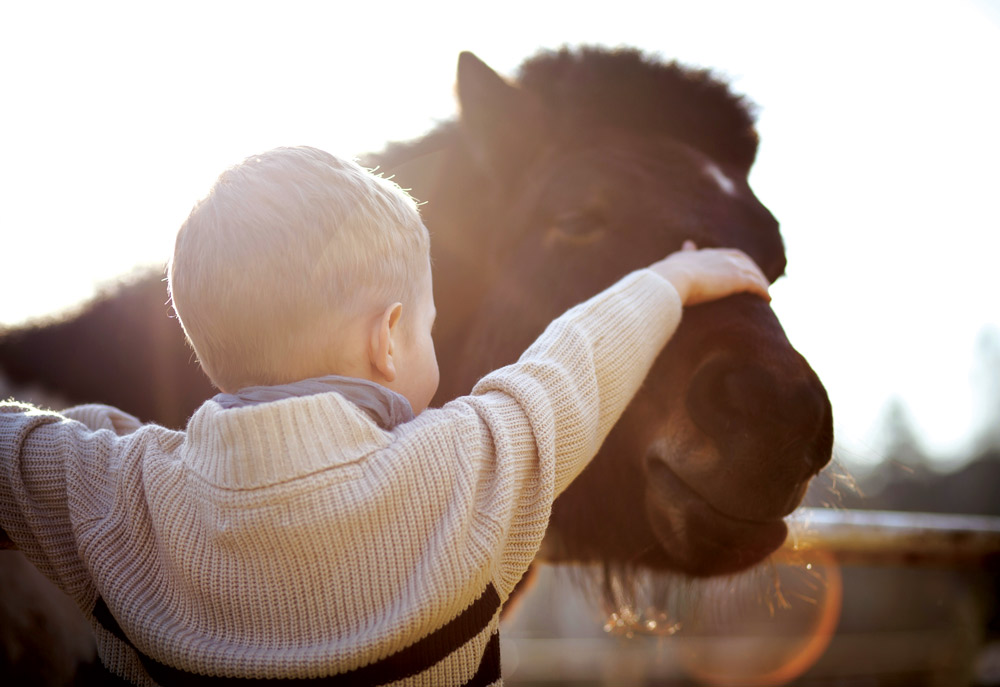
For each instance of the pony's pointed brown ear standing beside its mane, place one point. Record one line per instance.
(504, 125)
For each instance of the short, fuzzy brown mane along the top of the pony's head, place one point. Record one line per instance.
(626, 89)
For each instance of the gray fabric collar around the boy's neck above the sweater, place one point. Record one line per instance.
(385, 407)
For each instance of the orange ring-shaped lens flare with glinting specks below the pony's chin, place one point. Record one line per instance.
(767, 626)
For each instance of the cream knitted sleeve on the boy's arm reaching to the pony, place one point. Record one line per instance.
(542, 419)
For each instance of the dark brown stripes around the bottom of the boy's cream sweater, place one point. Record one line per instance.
(416, 658)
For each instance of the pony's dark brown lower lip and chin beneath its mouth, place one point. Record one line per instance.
(699, 539)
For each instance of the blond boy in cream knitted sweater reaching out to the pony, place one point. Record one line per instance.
(314, 521)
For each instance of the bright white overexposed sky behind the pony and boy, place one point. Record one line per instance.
(879, 148)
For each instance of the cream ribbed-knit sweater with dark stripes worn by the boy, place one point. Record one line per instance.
(297, 539)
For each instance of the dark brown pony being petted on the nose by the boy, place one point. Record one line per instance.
(544, 191)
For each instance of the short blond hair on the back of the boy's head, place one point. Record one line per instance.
(284, 244)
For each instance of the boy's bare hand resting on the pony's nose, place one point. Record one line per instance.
(711, 273)
